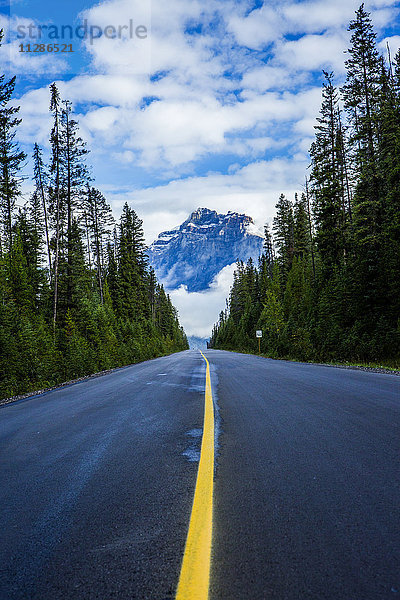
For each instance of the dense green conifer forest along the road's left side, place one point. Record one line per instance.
(75, 297)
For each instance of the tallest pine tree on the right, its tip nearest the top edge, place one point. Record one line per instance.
(362, 93)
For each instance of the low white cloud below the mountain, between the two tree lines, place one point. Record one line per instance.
(198, 311)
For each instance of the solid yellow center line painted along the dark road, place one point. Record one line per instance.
(194, 579)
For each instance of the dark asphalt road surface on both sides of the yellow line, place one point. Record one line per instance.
(97, 482)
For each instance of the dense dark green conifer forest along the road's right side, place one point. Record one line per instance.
(334, 294)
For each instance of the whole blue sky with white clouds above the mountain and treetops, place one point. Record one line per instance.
(214, 108)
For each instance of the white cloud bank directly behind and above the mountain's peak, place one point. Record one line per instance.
(253, 189)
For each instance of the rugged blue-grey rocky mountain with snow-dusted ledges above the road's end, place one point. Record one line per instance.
(193, 253)
